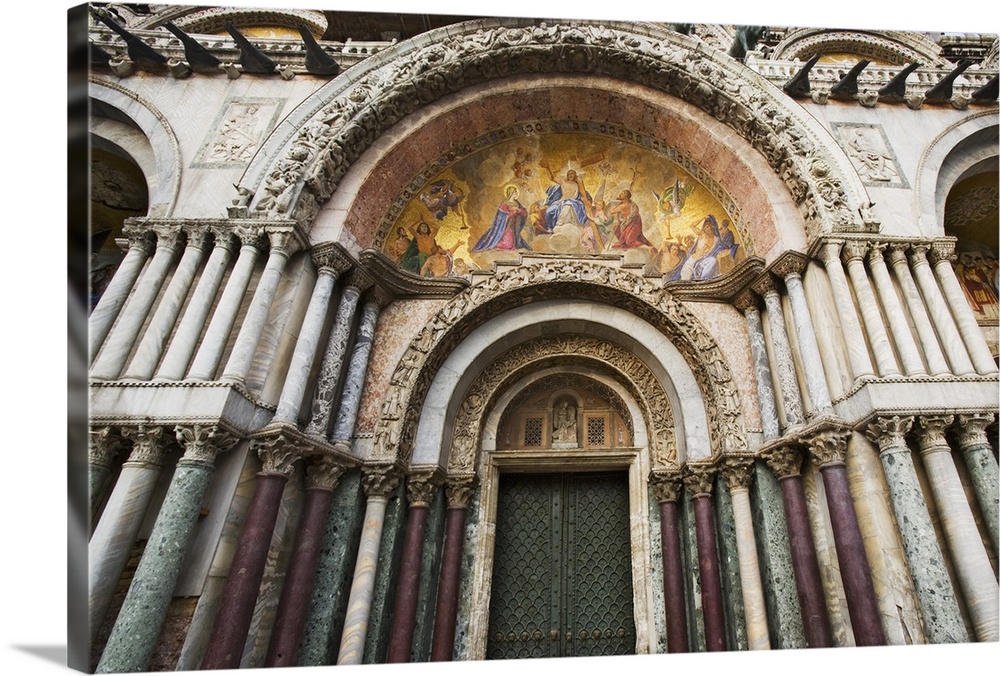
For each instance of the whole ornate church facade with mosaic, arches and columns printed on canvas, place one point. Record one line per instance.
(423, 338)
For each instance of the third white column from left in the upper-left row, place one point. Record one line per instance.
(154, 339)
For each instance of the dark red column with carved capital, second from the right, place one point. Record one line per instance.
(786, 464)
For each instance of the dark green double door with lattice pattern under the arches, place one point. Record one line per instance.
(562, 567)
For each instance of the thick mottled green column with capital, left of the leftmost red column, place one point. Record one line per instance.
(136, 631)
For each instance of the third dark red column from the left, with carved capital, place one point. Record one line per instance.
(420, 489)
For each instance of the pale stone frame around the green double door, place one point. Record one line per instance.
(634, 460)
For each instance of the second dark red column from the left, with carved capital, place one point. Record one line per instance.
(322, 476)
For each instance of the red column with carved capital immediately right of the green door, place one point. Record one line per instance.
(667, 491)
